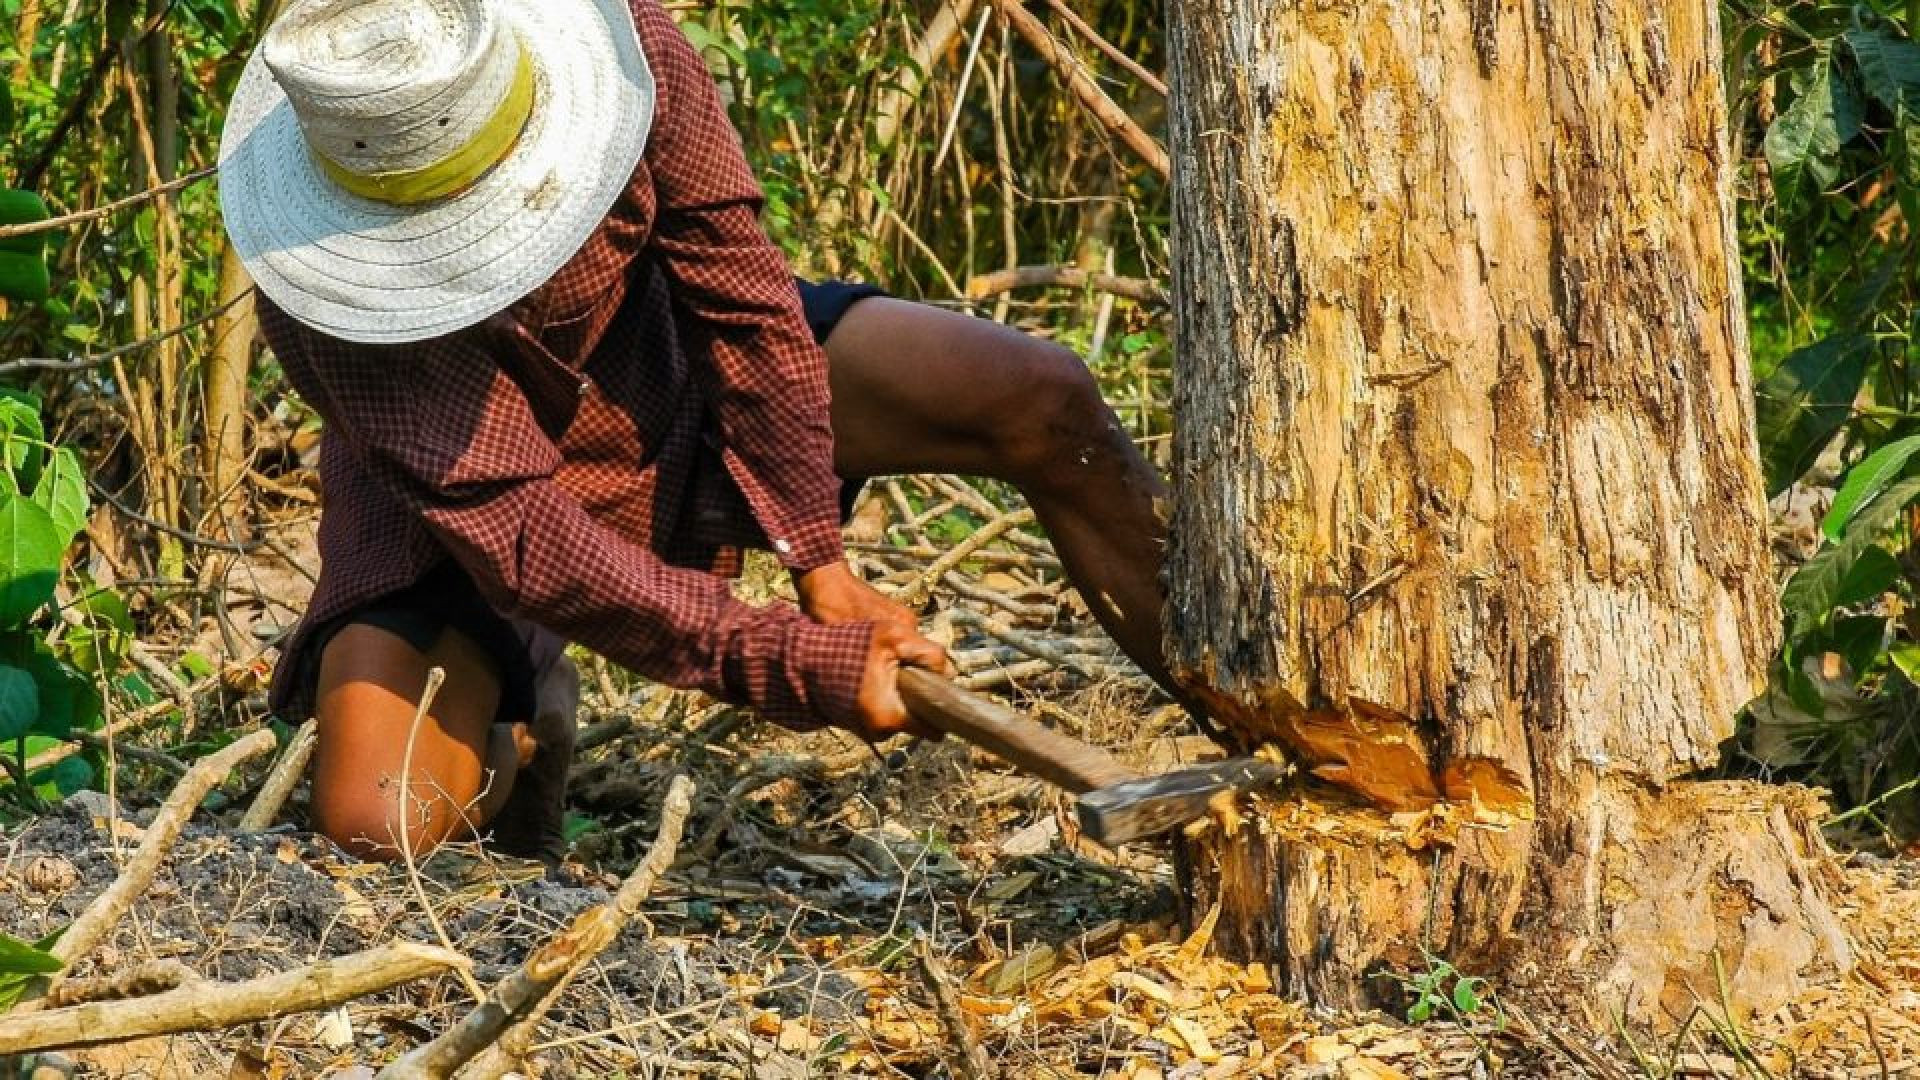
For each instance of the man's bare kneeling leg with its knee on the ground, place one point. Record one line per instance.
(464, 764)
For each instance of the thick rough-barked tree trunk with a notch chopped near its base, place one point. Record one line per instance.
(1466, 460)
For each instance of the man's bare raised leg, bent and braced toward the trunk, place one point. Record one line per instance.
(928, 391)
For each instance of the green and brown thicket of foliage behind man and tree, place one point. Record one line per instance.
(926, 147)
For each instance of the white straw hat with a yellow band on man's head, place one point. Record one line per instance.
(396, 170)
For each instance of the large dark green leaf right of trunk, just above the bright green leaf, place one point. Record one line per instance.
(1806, 403)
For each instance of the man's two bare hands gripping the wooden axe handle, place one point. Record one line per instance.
(834, 595)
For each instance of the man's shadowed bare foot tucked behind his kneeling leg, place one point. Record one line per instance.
(533, 820)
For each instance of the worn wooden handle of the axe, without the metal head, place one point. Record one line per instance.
(1044, 752)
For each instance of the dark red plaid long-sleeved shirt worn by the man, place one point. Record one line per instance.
(596, 454)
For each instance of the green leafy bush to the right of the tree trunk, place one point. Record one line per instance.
(1831, 95)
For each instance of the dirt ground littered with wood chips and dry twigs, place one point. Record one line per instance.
(784, 941)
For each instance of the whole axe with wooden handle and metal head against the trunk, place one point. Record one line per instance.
(1116, 804)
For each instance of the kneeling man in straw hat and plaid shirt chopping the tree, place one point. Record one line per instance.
(510, 253)
